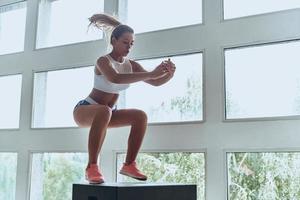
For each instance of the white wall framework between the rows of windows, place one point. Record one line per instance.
(213, 136)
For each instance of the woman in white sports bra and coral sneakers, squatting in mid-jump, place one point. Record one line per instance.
(114, 73)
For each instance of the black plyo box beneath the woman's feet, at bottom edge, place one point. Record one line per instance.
(134, 191)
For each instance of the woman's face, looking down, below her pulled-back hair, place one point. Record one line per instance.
(123, 44)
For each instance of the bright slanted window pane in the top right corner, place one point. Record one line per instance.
(238, 8)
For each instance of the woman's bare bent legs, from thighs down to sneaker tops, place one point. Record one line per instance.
(99, 117)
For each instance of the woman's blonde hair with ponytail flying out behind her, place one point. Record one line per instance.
(111, 26)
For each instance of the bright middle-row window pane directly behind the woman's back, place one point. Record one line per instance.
(56, 93)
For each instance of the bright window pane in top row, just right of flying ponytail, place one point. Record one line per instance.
(153, 15)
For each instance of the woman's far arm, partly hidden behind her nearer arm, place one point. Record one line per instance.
(154, 81)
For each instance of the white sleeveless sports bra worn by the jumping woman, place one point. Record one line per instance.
(101, 83)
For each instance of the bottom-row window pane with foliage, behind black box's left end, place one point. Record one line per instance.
(53, 174)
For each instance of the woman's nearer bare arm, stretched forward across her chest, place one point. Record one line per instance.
(104, 66)
